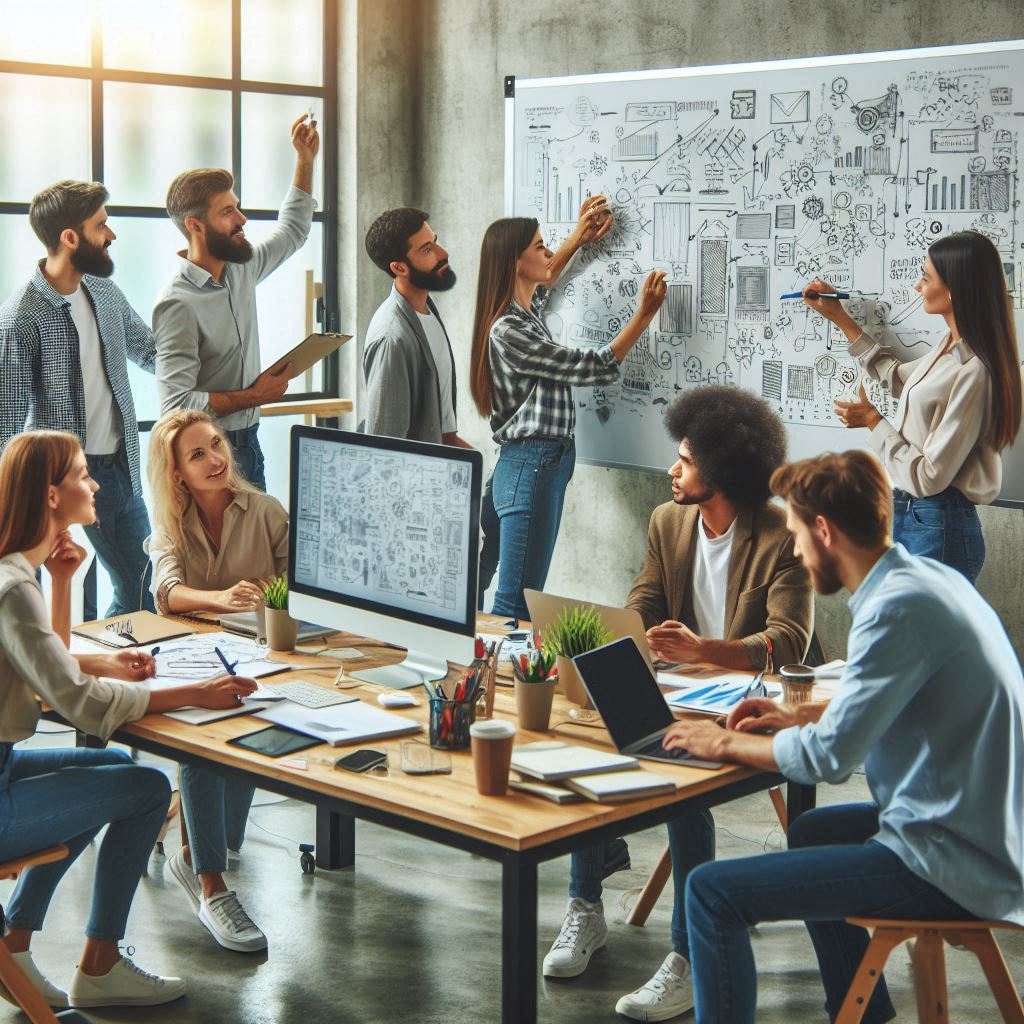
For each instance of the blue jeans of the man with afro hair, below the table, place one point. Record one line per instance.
(692, 839)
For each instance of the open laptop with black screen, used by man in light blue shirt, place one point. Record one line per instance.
(635, 713)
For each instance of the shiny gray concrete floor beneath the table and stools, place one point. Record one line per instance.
(413, 934)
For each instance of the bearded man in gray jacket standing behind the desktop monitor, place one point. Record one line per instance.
(408, 361)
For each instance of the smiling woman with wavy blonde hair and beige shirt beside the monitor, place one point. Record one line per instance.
(216, 538)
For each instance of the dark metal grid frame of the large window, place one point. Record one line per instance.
(327, 314)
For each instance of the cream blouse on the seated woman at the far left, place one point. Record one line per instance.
(35, 662)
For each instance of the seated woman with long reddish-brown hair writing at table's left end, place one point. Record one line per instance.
(68, 796)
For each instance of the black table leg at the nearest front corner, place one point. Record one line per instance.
(519, 941)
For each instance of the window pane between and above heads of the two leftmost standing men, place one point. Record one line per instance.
(143, 156)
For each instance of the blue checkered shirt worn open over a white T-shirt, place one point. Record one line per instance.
(40, 371)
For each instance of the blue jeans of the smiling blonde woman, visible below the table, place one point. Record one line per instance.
(216, 808)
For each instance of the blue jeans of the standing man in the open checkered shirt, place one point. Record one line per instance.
(122, 525)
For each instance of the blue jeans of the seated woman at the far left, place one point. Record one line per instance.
(67, 796)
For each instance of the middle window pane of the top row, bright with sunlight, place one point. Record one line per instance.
(189, 37)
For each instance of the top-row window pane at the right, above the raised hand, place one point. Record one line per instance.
(283, 42)
